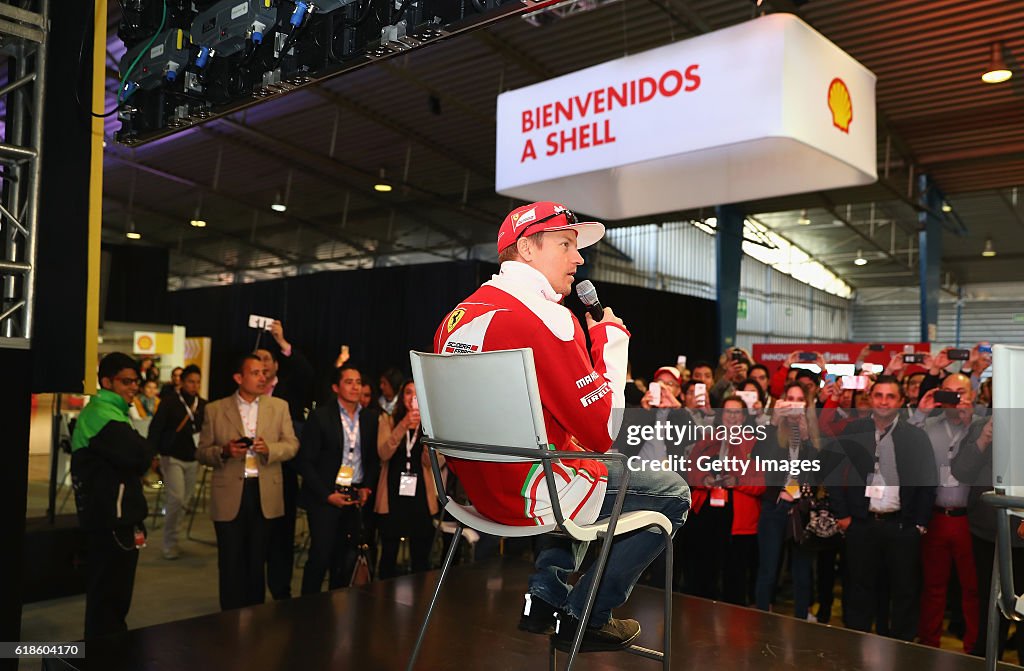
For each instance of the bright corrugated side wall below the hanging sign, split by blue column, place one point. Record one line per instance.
(680, 259)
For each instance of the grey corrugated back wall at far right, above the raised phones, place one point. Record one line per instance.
(982, 320)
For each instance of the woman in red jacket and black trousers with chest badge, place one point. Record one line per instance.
(726, 508)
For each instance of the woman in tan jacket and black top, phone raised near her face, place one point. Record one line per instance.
(407, 497)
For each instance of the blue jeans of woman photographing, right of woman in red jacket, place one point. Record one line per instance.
(772, 539)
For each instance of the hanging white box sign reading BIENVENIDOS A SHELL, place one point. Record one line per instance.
(763, 109)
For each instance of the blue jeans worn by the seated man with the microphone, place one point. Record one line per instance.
(631, 554)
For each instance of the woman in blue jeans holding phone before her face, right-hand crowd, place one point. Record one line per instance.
(793, 436)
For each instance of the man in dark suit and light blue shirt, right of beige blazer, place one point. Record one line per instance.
(338, 436)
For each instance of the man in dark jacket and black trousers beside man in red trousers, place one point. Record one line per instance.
(885, 506)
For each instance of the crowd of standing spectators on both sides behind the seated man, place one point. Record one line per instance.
(904, 454)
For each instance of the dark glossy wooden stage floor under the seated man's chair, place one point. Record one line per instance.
(373, 628)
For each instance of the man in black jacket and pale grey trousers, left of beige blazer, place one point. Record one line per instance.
(175, 434)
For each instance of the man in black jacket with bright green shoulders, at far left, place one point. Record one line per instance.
(109, 459)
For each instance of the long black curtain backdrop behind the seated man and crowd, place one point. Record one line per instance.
(381, 314)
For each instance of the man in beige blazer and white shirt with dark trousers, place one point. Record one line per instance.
(245, 439)
